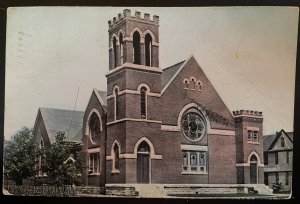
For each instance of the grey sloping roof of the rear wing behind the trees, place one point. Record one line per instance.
(60, 120)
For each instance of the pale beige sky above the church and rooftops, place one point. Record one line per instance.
(248, 54)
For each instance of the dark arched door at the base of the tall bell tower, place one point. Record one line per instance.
(143, 163)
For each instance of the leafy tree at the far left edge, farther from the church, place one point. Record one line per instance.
(20, 156)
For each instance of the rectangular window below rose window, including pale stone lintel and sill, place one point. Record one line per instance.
(194, 154)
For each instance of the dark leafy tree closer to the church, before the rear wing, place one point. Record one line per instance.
(60, 165)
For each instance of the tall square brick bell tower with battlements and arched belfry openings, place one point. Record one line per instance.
(133, 94)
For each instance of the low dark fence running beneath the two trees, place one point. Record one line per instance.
(58, 191)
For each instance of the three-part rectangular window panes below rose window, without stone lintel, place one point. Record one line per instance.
(194, 161)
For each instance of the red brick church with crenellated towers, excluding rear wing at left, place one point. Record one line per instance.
(164, 126)
